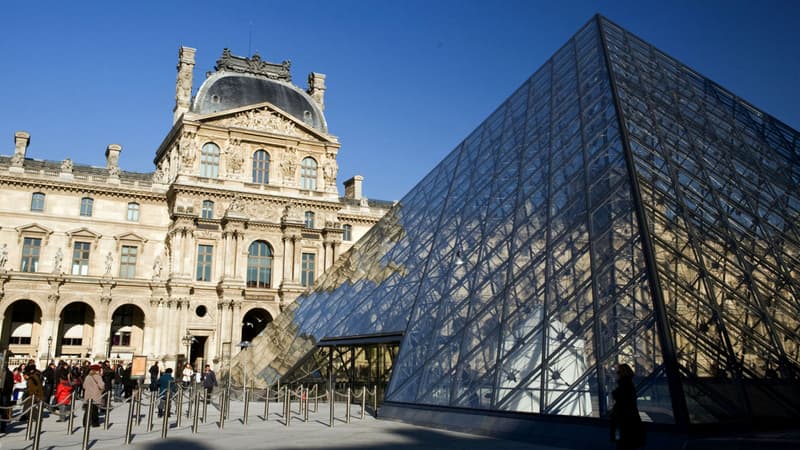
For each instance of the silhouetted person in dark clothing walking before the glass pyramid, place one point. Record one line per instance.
(626, 425)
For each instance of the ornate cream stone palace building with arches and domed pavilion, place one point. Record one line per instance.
(240, 216)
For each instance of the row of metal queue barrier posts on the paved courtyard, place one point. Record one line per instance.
(191, 402)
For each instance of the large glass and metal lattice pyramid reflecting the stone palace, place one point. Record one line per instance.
(618, 207)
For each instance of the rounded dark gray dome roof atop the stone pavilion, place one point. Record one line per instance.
(226, 90)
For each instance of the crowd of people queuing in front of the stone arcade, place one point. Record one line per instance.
(54, 385)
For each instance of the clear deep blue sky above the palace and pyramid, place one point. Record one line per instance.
(407, 80)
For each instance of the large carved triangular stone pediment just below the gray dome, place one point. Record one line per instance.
(265, 117)
